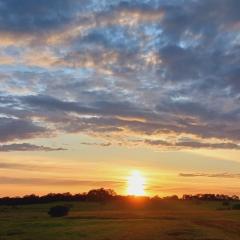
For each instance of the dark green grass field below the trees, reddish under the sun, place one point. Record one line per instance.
(180, 220)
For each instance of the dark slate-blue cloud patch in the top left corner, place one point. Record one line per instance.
(30, 16)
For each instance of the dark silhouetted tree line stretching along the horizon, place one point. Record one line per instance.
(104, 195)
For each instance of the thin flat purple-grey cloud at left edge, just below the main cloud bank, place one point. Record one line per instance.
(26, 147)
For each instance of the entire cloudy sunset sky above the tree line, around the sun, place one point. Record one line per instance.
(92, 90)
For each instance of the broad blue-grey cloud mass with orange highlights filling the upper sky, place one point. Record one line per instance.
(138, 69)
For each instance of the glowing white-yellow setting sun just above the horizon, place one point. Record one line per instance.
(136, 184)
